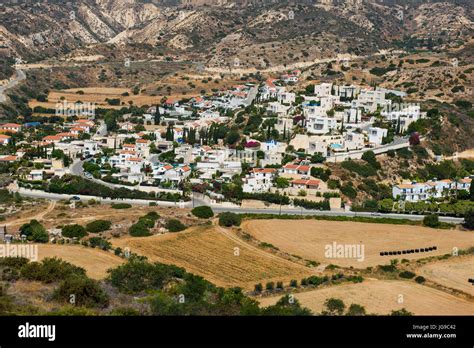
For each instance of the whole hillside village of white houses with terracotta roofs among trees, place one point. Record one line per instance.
(253, 142)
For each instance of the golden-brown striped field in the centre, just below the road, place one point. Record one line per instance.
(206, 251)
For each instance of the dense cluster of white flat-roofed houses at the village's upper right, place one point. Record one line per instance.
(337, 118)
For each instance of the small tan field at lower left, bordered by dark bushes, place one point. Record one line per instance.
(96, 262)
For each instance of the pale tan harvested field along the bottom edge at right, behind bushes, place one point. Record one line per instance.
(382, 297)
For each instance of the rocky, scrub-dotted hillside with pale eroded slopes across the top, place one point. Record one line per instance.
(259, 35)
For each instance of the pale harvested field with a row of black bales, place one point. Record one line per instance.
(308, 239)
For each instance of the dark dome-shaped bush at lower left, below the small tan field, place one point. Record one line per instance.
(84, 291)
